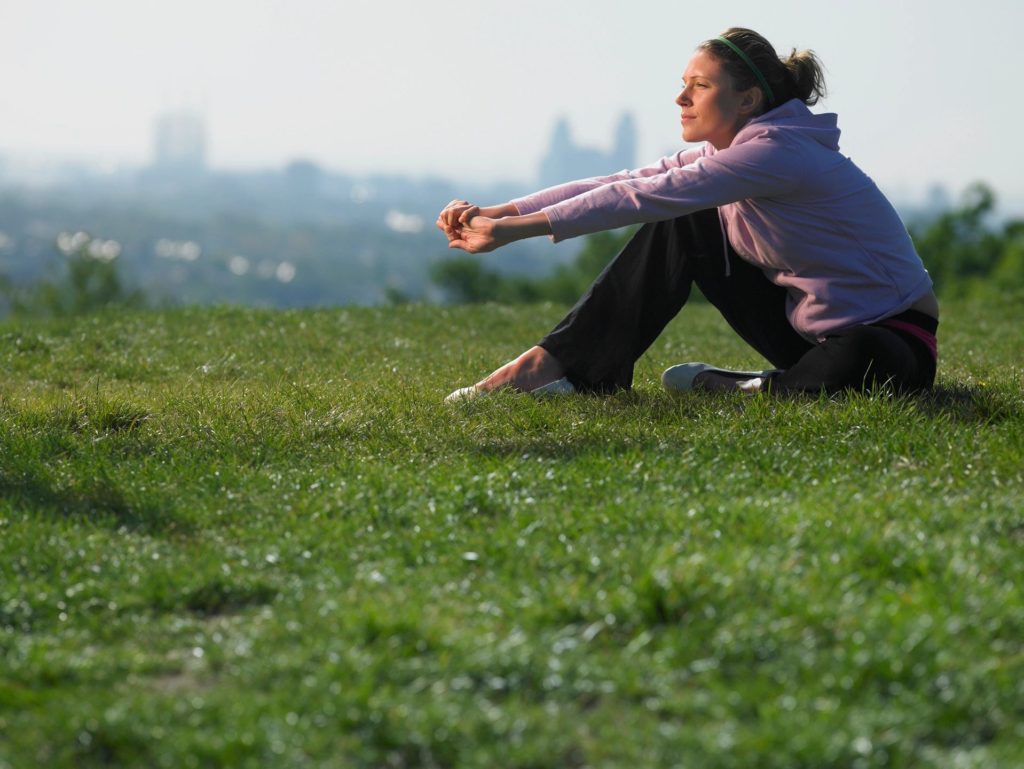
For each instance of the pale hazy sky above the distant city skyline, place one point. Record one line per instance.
(926, 91)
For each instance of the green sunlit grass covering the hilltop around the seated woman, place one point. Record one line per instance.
(244, 538)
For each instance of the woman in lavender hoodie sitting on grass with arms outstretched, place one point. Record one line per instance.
(796, 246)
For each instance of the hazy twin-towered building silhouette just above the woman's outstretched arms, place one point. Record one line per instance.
(566, 160)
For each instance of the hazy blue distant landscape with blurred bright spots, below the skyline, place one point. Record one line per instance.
(267, 240)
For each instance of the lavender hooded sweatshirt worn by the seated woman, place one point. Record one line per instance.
(789, 202)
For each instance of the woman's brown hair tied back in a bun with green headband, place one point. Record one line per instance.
(799, 76)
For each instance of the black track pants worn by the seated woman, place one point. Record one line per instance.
(650, 281)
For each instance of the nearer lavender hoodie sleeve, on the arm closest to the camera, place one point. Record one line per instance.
(763, 166)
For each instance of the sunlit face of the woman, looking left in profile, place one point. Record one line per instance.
(711, 109)
